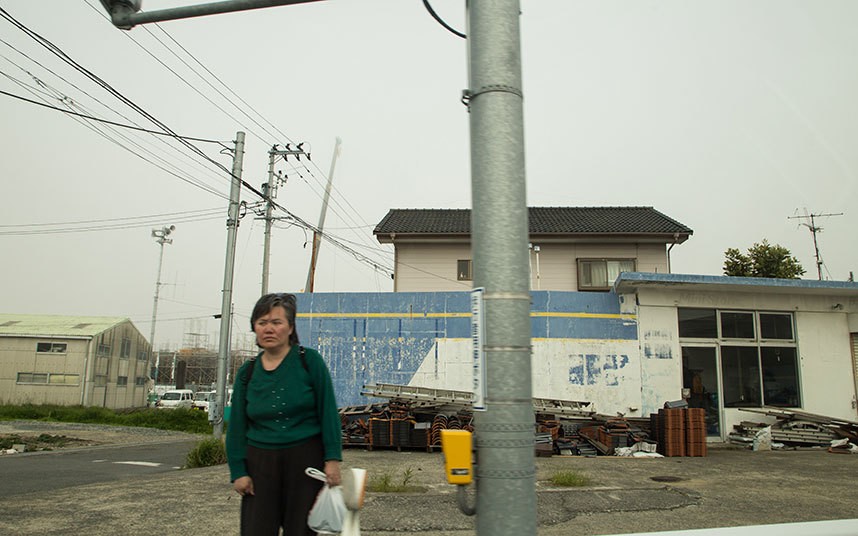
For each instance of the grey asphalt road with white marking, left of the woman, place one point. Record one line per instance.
(49, 471)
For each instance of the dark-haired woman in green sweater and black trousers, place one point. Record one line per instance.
(284, 419)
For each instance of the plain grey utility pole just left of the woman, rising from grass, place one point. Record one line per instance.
(226, 303)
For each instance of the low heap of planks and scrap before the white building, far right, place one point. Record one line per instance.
(796, 429)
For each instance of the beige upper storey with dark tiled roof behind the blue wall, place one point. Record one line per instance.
(571, 248)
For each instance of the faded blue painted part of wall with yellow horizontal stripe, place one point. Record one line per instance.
(385, 337)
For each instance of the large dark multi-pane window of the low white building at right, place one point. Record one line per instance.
(758, 354)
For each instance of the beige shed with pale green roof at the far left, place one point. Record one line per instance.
(72, 360)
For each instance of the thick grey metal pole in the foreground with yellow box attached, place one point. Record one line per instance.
(506, 487)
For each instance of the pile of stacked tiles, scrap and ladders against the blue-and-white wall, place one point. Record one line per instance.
(413, 418)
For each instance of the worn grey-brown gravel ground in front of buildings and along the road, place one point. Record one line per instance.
(729, 487)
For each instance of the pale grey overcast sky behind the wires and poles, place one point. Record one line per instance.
(728, 116)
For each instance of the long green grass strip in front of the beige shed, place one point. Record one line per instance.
(180, 420)
